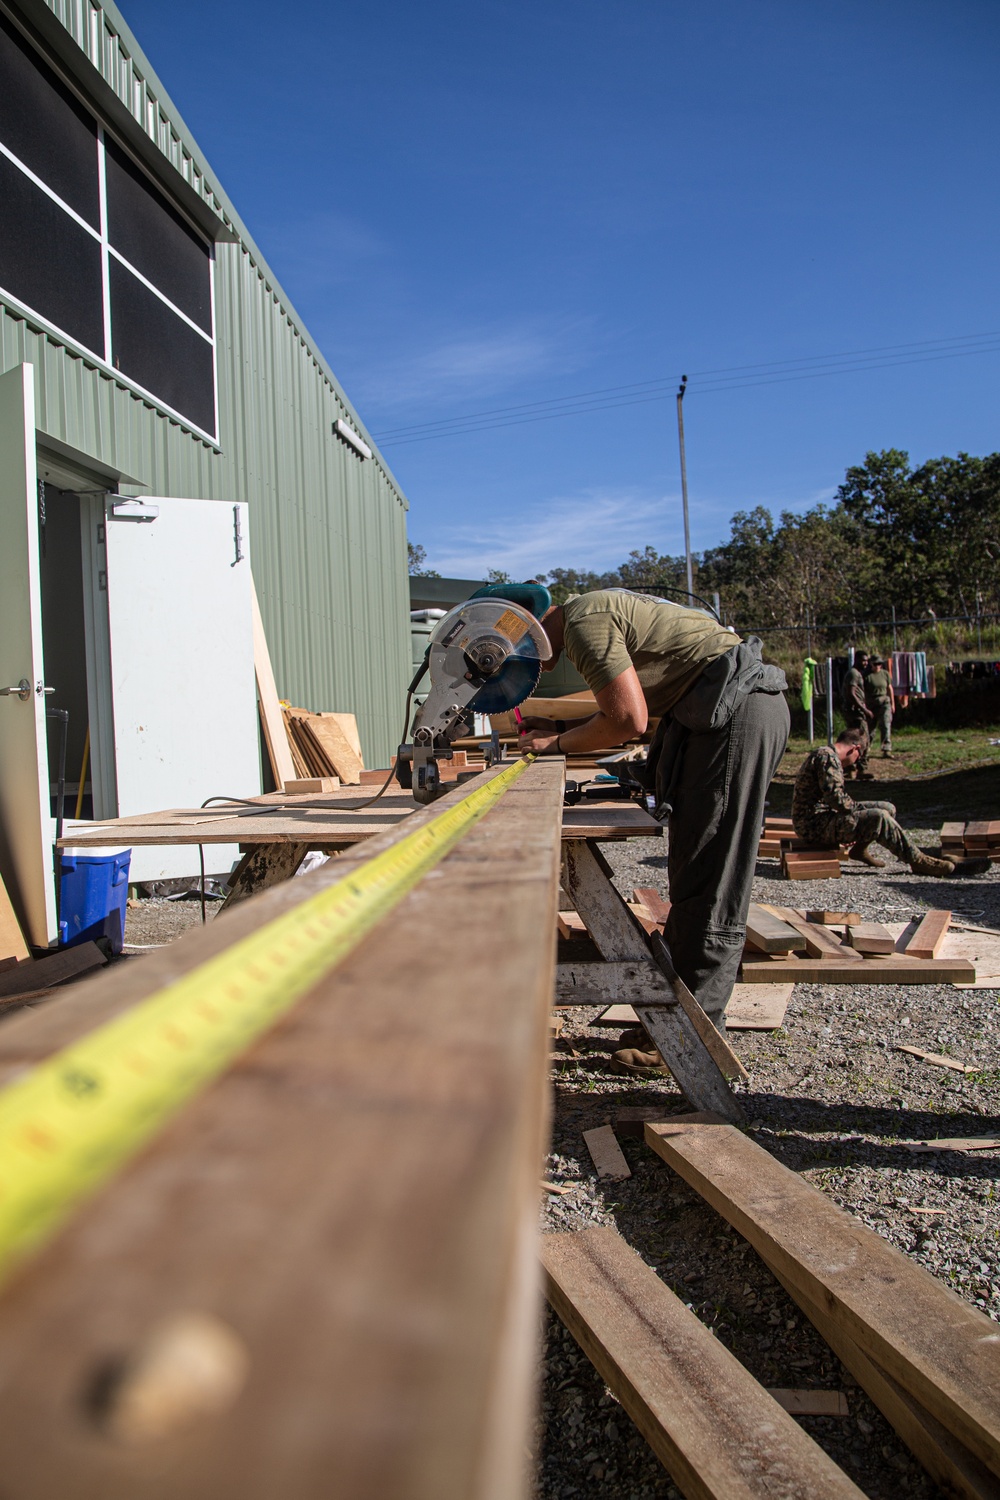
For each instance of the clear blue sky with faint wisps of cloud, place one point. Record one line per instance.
(484, 206)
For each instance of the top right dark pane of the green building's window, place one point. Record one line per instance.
(155, 239)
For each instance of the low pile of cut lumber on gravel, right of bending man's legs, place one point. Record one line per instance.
(785, 944)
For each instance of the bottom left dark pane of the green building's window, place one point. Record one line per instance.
(49, 262)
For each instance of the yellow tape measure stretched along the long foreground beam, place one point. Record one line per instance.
(71, 1123)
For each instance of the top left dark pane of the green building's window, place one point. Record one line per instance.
(47, 127)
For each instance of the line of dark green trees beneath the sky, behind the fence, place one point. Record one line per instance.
(923, 542)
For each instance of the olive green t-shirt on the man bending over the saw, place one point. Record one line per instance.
(609, 631)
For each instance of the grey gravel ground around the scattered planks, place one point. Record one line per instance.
(831, 1100)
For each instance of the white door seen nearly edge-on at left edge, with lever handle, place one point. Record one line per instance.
(26, 827)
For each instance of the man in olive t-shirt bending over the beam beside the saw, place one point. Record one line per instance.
(723, 730)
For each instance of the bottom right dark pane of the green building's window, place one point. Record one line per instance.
(160, 352)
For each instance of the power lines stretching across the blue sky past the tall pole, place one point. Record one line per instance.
(705, 382)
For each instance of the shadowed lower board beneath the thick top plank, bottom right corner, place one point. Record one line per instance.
(944, 1457)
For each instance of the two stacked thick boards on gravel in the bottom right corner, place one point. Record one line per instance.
(927, 1358)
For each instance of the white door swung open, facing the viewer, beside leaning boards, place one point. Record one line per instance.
(182, 665)
